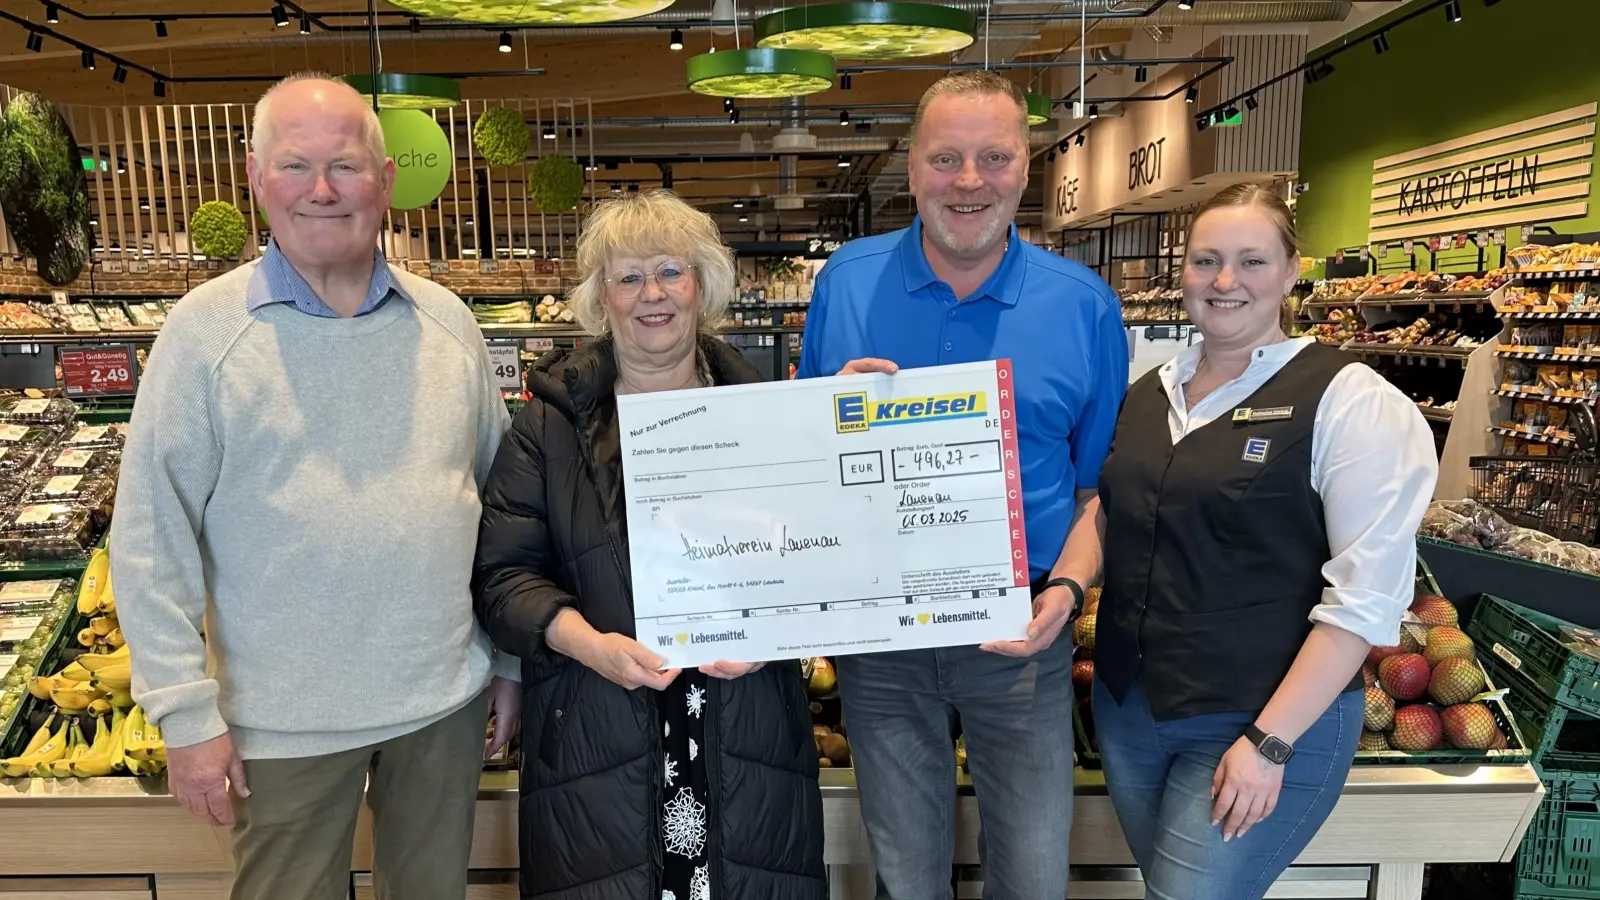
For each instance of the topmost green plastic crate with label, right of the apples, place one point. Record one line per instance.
(1530, 643)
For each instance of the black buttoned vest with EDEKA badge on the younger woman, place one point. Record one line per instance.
(1215, 547)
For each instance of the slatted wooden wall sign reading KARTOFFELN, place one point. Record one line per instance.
(1497, 177)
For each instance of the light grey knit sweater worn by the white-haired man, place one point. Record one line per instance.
(308, 492)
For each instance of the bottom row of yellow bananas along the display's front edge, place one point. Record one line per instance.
(129, 744)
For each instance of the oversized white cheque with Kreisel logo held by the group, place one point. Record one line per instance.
(846, 515)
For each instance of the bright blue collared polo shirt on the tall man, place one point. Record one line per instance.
(1057, 321)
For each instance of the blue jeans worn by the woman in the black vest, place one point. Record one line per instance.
(1159, 777)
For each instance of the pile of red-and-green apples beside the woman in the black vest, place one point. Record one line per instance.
(1430, 691)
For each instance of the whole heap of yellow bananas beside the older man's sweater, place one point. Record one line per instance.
(89, 694)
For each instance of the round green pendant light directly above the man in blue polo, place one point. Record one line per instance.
(870, 31)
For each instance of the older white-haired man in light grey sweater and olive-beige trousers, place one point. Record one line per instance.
(295, 532)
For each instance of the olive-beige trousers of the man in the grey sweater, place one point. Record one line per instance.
(295, 834)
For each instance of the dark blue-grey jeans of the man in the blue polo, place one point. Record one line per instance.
(1017, 715)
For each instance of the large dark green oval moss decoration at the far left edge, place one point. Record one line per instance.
(42, 188)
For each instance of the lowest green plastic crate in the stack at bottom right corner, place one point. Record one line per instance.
(1561, 851)
